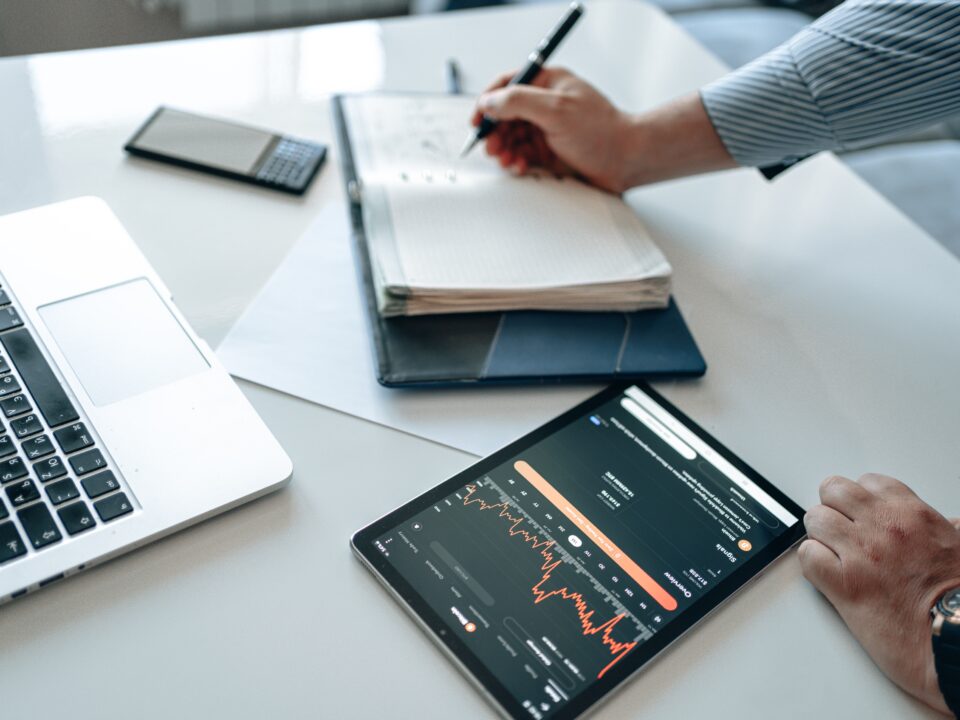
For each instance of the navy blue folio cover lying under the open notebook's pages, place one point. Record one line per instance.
(516, 347)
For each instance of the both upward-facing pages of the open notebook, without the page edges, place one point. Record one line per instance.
(467, 224)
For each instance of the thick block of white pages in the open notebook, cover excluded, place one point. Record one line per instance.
(450, 236)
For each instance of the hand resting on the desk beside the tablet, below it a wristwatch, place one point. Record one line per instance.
(883, 557)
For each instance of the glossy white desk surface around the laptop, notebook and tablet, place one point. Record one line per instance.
(830, 323)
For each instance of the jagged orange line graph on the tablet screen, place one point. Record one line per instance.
(550, 563)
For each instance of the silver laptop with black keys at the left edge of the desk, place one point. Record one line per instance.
(117, 423)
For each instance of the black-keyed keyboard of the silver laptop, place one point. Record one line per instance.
(55, 481)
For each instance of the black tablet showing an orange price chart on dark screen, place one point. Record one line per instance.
(558, 567)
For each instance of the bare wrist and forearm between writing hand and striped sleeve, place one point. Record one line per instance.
(674, 140)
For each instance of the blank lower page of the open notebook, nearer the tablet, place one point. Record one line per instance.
(505, 232)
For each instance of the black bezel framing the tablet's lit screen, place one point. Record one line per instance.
(363, 544)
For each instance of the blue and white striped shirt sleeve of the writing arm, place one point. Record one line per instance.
(865, 70)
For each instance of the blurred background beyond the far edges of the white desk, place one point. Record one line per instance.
(919, 172)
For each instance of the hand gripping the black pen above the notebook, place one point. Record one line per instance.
(559, 123)
